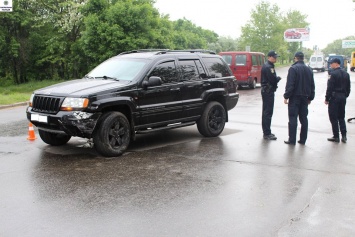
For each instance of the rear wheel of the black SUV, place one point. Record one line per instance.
(213, 120)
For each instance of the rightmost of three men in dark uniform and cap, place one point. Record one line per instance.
(338, 89)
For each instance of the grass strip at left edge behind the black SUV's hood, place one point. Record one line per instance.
(21, 93)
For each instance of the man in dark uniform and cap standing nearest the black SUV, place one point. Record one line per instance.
(269, 81)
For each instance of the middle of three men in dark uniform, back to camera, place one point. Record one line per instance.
(298, 95)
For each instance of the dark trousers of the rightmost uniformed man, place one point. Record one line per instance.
(336, 111)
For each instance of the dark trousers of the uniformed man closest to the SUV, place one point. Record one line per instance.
(268, 110)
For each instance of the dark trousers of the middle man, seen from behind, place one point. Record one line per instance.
(297, 107)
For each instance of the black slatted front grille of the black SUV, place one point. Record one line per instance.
(46, 104)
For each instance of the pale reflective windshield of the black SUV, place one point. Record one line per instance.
(118, 69)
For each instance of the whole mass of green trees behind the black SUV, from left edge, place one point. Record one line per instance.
(50, 39)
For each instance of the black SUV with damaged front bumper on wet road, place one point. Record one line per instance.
(136, 92)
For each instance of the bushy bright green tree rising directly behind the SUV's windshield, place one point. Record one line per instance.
(122, 26)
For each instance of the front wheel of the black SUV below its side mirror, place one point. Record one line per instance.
(113, 135)
